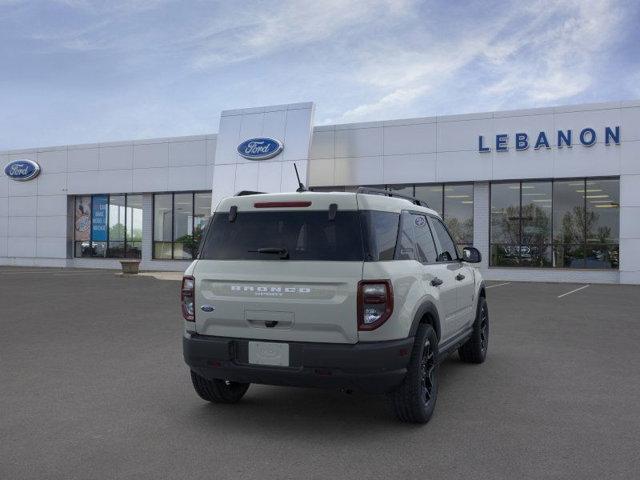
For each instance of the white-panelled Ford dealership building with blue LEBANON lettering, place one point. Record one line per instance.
(548, 194)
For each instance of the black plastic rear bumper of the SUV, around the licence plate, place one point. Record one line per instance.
(373, 367)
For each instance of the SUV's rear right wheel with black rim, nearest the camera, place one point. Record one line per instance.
(415, 399)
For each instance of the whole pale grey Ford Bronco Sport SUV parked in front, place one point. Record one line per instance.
(359, 291)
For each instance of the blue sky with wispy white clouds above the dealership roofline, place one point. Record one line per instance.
(79, 71)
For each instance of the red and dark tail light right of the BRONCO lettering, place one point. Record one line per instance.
(375, 303)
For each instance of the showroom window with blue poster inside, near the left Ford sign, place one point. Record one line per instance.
(108, 226)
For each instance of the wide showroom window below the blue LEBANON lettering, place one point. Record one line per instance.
(562, 224)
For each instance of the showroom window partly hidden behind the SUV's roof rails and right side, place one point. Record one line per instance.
(454, 202)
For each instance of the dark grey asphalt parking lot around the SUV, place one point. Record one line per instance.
(92, 385)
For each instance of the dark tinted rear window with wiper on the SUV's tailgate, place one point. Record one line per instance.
(304, 235)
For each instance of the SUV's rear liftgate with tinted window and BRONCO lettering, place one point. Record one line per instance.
(280, 272)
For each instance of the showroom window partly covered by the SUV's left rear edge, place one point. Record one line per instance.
(178, 222)
